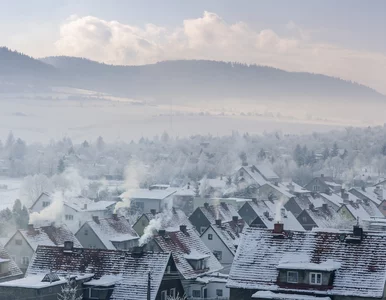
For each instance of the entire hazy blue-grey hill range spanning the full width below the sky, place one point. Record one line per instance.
(184, 80)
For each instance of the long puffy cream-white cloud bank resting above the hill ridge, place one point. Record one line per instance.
(211, 37)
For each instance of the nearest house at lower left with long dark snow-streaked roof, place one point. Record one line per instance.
(116, 275)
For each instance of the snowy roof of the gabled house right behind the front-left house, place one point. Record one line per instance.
(112, 229)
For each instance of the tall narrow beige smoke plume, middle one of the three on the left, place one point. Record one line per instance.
(133, 173)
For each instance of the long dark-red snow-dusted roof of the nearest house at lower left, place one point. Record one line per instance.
(133, 269)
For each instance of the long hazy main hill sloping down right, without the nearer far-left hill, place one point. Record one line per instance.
(189, 79)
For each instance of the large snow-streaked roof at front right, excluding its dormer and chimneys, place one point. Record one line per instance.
(362, 270)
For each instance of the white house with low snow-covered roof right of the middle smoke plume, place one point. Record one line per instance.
(144, 200)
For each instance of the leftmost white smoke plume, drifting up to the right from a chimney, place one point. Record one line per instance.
(72, 187)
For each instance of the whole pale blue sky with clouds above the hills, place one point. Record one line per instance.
(345, 38)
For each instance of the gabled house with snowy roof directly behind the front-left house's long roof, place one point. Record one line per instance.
(108, 233)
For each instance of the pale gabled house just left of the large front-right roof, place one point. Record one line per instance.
(223, 239)
